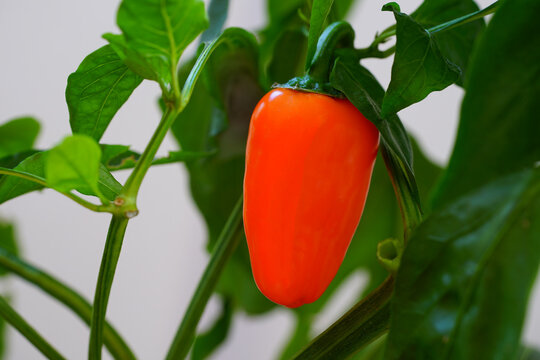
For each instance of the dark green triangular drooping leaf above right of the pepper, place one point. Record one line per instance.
(419, 67)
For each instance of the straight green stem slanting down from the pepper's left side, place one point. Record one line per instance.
(226, 244)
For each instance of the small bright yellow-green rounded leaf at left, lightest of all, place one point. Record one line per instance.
(74, 164)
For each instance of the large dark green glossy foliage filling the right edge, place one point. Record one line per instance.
(477, 310)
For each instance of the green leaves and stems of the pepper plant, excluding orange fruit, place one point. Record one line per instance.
(451, 253)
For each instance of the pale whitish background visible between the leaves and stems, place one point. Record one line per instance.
(41, 43)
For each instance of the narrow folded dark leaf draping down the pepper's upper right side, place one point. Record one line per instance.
(366, 94)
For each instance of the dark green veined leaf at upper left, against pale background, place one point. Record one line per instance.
(97, 90)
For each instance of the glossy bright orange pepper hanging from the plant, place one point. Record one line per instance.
(309, 161)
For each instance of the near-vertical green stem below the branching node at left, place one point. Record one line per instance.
(111, 253)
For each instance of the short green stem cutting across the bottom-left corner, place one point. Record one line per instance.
(12, 317)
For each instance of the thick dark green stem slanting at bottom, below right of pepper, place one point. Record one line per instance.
(365, 322)
